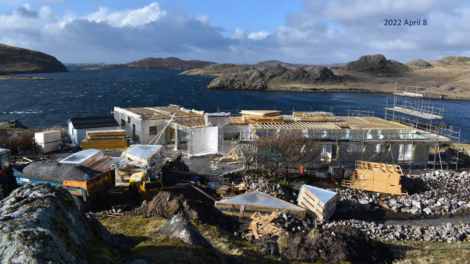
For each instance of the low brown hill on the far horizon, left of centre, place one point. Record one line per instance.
(169, 63)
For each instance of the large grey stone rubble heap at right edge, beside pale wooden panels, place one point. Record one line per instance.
(444, 192)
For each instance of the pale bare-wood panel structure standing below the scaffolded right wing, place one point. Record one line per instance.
(376, 177)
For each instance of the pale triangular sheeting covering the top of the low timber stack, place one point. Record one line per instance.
(260, 199)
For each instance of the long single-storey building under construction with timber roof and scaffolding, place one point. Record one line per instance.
(343, 139)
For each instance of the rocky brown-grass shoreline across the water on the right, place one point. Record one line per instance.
(446, 78)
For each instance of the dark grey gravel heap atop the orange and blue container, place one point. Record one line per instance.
(61, 171)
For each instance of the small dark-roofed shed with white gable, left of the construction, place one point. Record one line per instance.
(78, 126)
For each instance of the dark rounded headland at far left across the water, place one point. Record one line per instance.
(18, 60)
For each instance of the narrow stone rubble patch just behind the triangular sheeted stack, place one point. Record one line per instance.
(262, 184)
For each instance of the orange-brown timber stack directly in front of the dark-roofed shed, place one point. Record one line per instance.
(105, 140)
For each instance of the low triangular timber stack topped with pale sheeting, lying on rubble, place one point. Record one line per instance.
(247, 204)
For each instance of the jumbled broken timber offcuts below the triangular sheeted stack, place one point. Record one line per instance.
(259, 225)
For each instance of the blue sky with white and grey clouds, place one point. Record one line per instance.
(241, 31)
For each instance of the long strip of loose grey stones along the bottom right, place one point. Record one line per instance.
(444, 233)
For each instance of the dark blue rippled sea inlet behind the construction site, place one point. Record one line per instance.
(81, 93)
